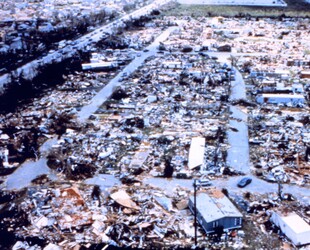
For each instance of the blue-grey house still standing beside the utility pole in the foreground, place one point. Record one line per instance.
(215, 211)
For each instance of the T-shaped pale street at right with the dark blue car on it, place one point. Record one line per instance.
(238, 153)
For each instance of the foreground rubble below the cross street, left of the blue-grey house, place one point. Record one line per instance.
(71, 215)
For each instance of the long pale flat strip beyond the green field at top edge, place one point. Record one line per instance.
(269, 3)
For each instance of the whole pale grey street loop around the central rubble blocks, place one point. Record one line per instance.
(238, 153)
